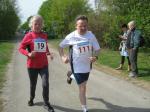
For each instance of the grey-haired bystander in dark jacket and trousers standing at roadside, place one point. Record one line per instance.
(133, 42)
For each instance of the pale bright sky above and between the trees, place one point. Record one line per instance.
(28, 8)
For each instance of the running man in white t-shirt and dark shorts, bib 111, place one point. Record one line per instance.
(85, 49)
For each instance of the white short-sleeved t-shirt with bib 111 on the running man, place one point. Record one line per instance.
(83, 47)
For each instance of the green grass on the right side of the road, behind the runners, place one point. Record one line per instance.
(112, 59)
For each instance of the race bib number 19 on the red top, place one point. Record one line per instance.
(40, 45)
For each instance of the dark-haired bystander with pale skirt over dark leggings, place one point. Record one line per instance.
(123, 48)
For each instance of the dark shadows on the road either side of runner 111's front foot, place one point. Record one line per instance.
(110, 108)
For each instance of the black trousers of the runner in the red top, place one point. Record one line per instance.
(33, 75)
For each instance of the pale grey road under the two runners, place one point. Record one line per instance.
(105, 93)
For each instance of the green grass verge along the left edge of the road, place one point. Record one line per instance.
(5, 56)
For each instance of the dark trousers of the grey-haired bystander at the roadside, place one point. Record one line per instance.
(133, 53)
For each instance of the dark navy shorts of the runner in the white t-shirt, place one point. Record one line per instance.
(81, 77)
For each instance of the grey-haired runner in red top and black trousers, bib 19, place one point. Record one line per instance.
(34, 46)
